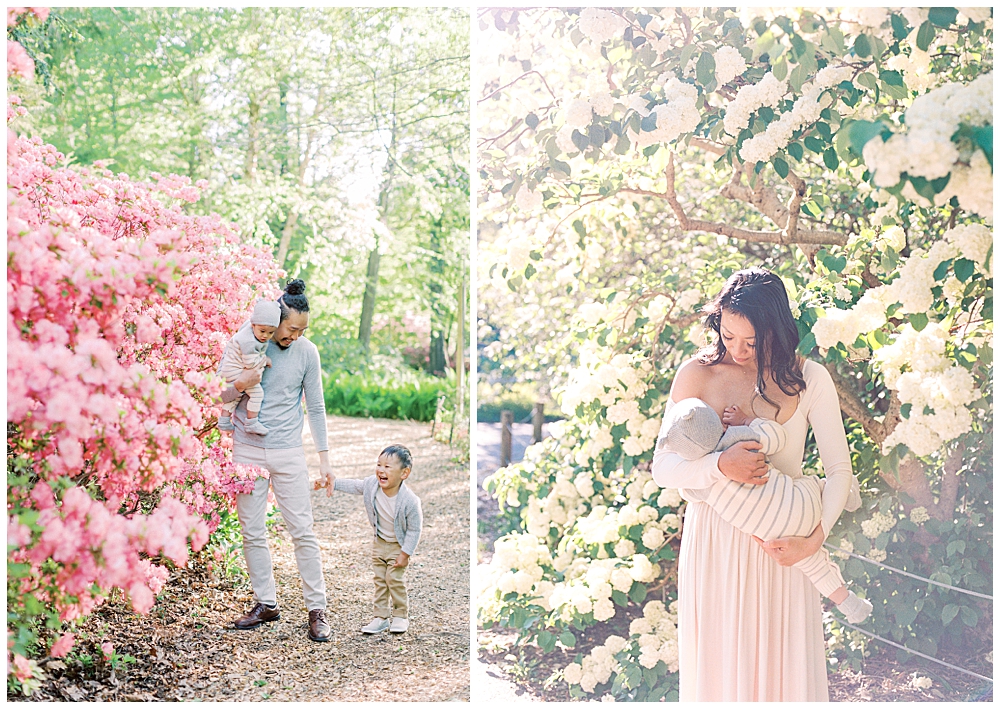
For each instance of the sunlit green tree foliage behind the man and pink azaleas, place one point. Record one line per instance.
(324, 133)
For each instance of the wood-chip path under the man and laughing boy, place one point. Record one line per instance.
(186, 649)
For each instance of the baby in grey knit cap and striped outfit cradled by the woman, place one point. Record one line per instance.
(782, 506)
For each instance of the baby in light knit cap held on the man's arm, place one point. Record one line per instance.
(248, 350)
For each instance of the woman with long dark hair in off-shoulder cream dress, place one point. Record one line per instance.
(750, 626)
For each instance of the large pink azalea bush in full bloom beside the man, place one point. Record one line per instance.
(119, 304)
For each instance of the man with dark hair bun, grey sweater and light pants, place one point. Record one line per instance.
(294, 372)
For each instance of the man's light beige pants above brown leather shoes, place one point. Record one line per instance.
(290, 482)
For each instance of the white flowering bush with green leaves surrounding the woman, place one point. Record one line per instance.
(851, 153)
